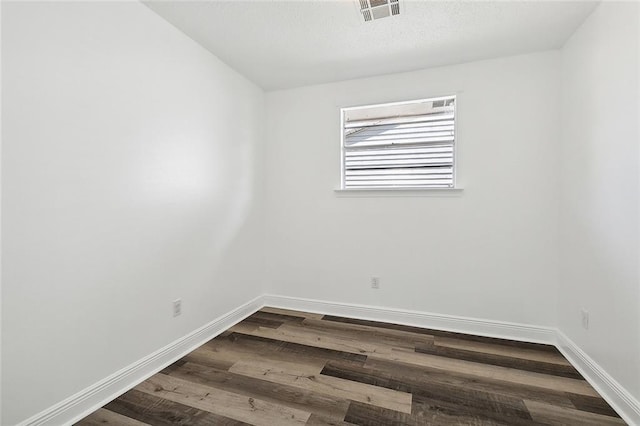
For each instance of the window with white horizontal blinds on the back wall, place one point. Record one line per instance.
(399, 145)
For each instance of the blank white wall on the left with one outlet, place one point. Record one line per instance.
(130, 177)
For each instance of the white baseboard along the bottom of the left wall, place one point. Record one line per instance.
(90, 399)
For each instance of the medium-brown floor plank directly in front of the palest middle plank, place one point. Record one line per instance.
(326, 406)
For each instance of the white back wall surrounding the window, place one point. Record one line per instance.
(490, 252)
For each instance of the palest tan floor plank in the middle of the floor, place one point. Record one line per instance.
(297, 375)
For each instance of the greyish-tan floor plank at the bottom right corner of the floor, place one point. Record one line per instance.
(552, 415)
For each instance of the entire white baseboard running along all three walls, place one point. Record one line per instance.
(90, 399)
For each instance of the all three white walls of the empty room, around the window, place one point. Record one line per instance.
(132, 175)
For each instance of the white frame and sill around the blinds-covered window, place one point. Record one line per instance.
(452, 188)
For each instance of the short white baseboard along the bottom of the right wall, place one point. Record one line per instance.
(613, 392)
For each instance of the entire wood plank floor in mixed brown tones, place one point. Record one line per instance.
(282, 367)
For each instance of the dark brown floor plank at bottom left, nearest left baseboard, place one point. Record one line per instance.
(161, 412)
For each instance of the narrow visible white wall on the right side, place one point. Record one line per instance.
(599, 231)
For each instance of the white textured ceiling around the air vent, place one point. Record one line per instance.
(283, 44)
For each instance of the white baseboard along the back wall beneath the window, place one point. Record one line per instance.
(480, 327)
